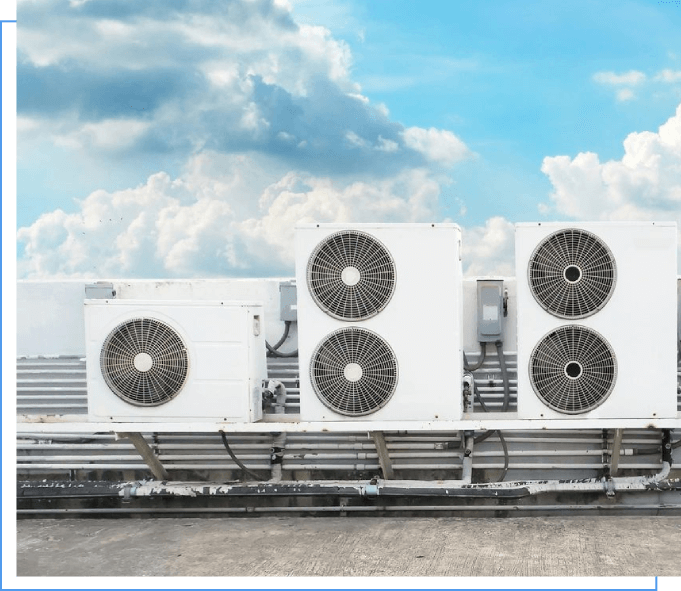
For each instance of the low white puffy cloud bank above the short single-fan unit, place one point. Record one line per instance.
(211, 221)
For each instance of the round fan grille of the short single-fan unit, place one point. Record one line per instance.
(144, 362)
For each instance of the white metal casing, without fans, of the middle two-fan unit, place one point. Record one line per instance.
(422, 322)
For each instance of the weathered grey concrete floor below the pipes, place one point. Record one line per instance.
(357, 546)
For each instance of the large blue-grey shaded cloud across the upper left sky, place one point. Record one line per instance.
(233, 77)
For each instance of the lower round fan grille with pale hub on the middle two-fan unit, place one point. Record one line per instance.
(354, 371)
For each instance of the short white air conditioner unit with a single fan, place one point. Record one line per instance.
(182, 361)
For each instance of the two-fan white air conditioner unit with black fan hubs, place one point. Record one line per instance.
(596, 320)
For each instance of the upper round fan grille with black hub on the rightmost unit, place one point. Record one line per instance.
(572, 274)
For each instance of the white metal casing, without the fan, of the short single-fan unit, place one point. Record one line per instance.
(225, 344)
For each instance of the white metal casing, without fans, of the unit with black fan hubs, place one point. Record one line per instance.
(638, 321)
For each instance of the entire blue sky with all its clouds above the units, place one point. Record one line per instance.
(186, 138)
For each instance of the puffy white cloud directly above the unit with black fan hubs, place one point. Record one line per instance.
(645, 184)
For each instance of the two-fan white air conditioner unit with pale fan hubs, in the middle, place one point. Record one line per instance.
(379, 322)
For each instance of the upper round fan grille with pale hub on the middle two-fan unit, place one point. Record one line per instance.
(351, 275)
